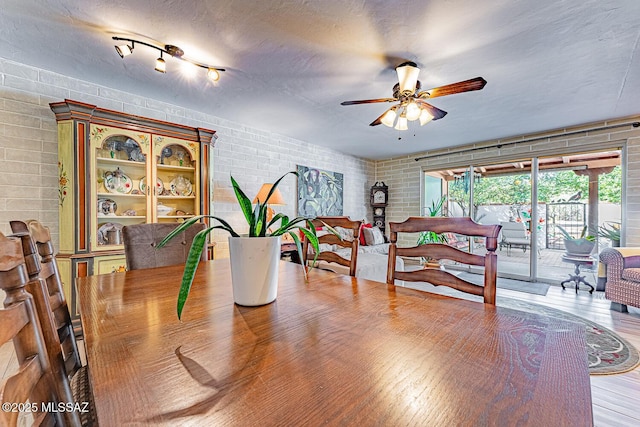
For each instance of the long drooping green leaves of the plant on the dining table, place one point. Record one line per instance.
(258, 227)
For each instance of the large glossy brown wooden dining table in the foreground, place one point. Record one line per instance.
(333, 350)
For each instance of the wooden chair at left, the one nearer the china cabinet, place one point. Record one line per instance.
(45, 285)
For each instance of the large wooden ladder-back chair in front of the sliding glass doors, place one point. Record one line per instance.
(438, 251)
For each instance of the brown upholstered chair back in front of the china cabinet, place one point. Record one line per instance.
(140, 241)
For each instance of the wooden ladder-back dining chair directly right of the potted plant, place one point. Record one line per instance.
(329, 242)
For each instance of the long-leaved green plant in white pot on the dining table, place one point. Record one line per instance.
(254, 257)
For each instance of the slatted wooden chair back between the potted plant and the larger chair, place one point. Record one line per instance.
(331, 239)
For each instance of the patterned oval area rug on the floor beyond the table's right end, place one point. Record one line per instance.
(608, 352)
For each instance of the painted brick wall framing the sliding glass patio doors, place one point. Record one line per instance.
(403, 174)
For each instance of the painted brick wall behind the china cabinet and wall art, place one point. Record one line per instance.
(28, 150)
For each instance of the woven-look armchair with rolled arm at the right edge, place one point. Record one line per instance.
(623, 277)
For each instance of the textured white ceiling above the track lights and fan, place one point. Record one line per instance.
(548, 63)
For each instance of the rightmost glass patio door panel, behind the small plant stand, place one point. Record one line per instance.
(579, 196)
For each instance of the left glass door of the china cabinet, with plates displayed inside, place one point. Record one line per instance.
(119, 165)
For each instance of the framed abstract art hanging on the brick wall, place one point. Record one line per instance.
(319, 192)
